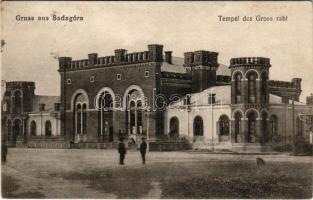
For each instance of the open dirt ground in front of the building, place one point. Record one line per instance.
(89, 173)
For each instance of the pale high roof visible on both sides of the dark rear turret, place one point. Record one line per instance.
(177, 66)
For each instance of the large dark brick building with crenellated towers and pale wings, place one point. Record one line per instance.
(160, 96)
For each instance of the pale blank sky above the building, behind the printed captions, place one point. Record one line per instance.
(32, 47)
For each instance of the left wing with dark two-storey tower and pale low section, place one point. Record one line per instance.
(27, 117)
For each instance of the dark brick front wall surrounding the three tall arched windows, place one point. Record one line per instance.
(132, 75)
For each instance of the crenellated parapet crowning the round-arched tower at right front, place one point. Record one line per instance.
(249, 61)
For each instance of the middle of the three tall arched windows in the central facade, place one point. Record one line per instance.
(105, 117)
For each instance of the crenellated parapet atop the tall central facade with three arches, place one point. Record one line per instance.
(121, 57)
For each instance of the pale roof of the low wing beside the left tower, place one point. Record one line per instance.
(47, 100)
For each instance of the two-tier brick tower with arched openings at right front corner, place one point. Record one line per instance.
(249, 99)
